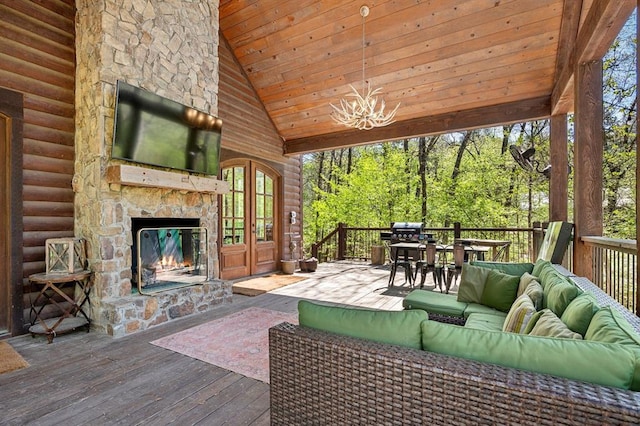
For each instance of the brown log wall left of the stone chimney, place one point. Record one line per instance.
(37, 59)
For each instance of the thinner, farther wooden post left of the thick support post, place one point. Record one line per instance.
(558, 185)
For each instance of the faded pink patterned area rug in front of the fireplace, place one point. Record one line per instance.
(238, 342)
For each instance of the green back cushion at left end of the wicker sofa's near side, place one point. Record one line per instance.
(400, 328)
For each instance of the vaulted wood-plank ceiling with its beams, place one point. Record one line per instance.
(451, 64)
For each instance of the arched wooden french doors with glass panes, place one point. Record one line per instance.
(249, 231)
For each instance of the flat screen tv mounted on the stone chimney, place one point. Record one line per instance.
(151, 129)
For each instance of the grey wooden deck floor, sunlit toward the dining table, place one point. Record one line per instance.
(90, 378)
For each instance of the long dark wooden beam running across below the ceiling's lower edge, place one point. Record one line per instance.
(530, 109)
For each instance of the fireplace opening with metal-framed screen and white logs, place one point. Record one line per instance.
(168, 253)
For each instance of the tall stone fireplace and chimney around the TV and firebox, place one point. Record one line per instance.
(168, 47)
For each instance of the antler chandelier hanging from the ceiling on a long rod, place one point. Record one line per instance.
(360, 112)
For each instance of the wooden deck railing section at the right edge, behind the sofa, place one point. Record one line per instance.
(614, 269)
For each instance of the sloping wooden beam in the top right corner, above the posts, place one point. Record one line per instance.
(605, 20)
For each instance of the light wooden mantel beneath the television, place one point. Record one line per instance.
(124, 174)
